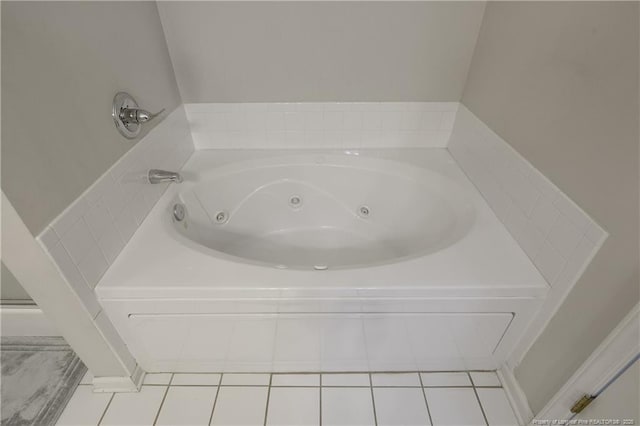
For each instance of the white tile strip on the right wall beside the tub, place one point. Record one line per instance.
(556, 234)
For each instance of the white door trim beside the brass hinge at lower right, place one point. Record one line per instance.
(617, 350)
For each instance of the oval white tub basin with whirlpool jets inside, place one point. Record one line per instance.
(323, 211)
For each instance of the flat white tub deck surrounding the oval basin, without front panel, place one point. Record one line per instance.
(486, 263)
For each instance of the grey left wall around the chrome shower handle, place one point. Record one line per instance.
(62, 63)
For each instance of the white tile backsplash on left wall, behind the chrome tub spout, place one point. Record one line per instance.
(88, 236)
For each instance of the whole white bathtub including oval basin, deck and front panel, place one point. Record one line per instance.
(321, 261)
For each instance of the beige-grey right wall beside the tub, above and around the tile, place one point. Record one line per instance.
(559, 82)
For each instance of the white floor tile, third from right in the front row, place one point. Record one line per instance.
(400, 406)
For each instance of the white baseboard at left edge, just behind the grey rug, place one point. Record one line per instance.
(25, 320)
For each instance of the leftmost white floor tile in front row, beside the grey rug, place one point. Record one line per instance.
(84, 408)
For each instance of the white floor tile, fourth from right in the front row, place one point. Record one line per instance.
(347, 406)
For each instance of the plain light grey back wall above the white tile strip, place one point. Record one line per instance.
(320, 51)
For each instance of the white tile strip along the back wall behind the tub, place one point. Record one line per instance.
(321, 124)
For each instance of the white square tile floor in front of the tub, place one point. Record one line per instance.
(456, 398)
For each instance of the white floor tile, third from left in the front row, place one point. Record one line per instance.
(187, 405)
